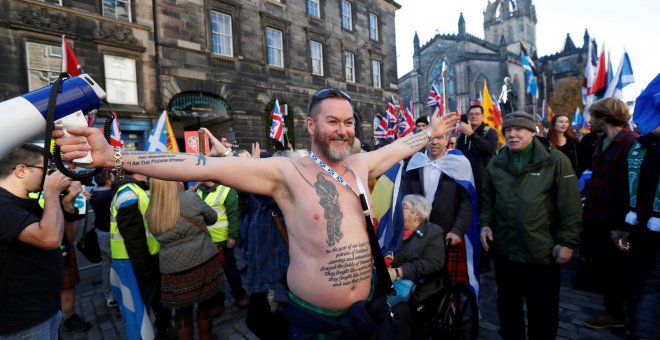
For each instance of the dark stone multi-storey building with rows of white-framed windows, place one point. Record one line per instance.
(214, 63)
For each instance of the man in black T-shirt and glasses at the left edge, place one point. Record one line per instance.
(30, 259)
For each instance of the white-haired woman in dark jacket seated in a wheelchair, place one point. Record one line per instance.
(422, 254)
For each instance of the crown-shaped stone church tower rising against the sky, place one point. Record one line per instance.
(514, 20)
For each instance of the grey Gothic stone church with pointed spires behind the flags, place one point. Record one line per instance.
(472, 60)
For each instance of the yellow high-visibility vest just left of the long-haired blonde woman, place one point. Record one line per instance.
(117, 246)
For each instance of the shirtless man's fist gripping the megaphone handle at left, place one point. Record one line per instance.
(80, 141)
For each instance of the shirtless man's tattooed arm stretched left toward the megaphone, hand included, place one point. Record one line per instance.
(260, 176)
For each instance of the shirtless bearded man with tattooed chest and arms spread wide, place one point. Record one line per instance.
(331, 262)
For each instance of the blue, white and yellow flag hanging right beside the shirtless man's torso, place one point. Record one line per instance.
(388, 210)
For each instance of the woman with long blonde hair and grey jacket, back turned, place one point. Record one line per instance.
(190, 268)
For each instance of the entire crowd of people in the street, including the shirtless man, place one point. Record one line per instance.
(167, 247)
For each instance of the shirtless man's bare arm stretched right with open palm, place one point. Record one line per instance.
(384, 158)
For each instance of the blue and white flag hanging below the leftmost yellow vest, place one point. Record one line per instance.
(131, 305)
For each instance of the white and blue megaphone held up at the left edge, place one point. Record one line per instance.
(23, 118)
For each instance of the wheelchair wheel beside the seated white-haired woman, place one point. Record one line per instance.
(458, 314)
